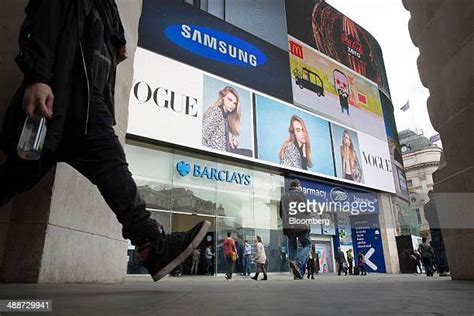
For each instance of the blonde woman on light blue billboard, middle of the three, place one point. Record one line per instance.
(296, 151)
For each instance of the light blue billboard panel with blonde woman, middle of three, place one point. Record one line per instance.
(291, 137)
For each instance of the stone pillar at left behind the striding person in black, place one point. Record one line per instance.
(62, 230)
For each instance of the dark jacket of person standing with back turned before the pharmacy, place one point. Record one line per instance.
(294, 195)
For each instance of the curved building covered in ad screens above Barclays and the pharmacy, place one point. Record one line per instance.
(223, 114)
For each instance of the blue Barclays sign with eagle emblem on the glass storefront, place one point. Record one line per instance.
(184, 169)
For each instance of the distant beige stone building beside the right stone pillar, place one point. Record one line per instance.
(421, 159)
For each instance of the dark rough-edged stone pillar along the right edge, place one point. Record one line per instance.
(442, 30)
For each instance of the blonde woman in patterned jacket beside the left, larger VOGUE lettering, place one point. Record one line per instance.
(221, 122)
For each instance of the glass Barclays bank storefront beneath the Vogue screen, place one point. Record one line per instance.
(177, 196)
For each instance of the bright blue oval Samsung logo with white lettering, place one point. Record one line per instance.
(215, 45)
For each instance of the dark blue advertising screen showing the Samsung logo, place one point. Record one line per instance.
(180, 31)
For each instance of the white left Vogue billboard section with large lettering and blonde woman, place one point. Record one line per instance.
(200, 112)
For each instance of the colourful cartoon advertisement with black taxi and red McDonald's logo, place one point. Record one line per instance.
(331, 90)
